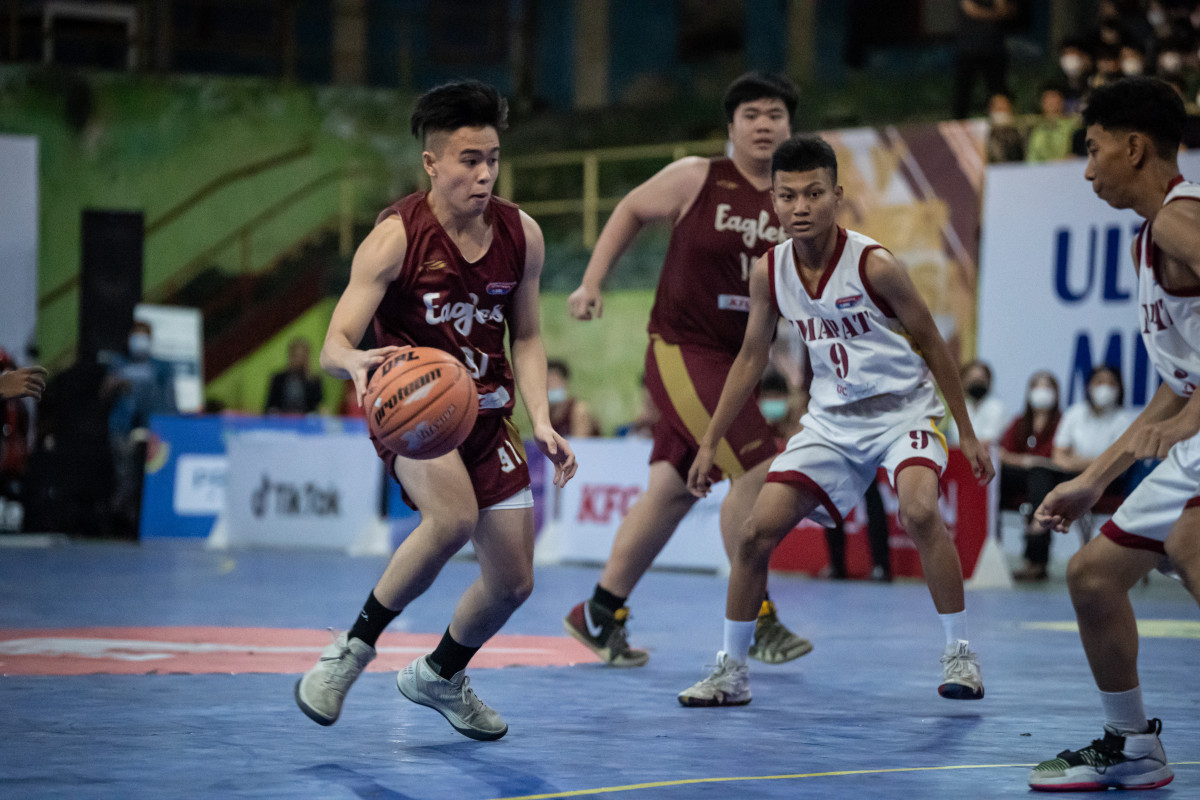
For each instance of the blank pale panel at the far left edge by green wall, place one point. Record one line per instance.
(19, 244)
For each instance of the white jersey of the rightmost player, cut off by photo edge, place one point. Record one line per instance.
(1171, 322)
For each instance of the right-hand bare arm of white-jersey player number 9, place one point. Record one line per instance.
(892, 281)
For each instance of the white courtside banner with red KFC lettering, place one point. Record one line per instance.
(613, 474)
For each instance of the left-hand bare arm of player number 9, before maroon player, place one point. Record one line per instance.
(743, 377)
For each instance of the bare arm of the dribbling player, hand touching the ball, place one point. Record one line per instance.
(376, 264)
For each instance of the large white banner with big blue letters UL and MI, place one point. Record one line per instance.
(1058, 290)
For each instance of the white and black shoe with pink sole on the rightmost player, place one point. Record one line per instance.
(1133, 761)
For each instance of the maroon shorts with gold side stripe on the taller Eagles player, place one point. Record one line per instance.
(686, 384)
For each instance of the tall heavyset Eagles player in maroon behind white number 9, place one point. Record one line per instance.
(723, 219)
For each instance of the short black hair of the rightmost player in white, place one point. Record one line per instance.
(1141, 105)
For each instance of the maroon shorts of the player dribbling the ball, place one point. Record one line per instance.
(495, 459)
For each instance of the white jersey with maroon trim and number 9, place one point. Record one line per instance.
(857, 347)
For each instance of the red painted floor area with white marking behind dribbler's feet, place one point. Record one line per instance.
(241, 651)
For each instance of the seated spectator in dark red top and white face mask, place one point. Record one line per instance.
(1028, 472)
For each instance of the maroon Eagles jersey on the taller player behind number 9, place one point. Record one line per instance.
(704, 296)
